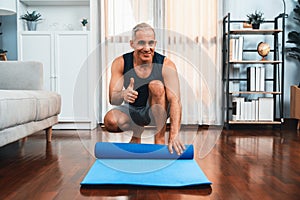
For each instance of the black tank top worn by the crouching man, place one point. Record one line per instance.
(141, 84)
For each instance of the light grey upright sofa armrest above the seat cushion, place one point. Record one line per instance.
(21, 75)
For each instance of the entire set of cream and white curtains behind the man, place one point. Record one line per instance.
(187, 32)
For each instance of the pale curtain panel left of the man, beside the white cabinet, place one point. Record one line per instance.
(120, 16)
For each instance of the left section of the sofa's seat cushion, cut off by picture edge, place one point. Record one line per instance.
(16, 107)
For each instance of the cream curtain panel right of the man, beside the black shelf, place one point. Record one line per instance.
(197, 44)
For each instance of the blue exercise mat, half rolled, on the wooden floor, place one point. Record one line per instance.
(143, 164)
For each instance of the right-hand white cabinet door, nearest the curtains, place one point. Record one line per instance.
(71, 56)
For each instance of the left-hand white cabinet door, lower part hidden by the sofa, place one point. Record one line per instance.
(39, 47)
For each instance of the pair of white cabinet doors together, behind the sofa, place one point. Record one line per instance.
(65, 59)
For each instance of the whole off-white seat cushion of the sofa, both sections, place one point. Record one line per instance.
(23, 106)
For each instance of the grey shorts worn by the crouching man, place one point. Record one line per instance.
(140, 115)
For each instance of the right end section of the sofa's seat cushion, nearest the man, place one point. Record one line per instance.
(47, 103)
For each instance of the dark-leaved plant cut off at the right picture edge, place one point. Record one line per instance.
(294, 35)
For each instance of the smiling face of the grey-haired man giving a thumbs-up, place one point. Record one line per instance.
(144, 45)
